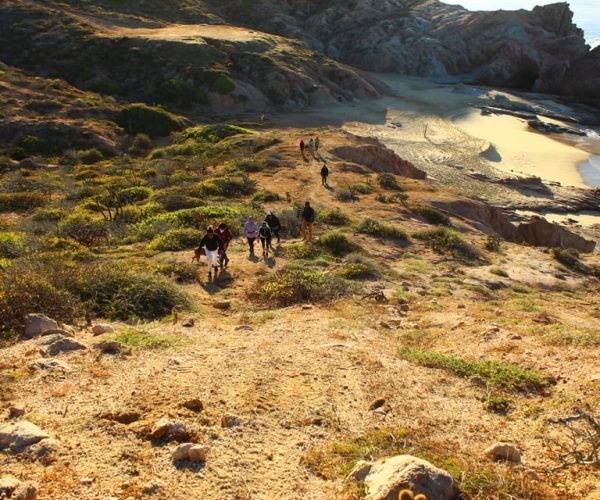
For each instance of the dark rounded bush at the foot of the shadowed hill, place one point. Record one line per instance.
(140, 118)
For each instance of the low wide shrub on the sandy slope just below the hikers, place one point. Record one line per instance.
(294, 286)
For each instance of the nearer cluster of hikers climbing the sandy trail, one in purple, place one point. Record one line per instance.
(215, 242)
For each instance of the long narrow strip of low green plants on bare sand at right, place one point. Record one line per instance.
(493, 373)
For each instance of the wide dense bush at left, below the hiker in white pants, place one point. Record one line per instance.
(120, 291)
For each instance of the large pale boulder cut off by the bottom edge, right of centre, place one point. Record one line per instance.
(385, 479)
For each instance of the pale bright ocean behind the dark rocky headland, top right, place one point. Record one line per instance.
(587, 12)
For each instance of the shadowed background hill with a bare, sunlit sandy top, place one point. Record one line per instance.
(217, 67)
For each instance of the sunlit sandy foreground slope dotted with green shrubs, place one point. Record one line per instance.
(290, 368)
